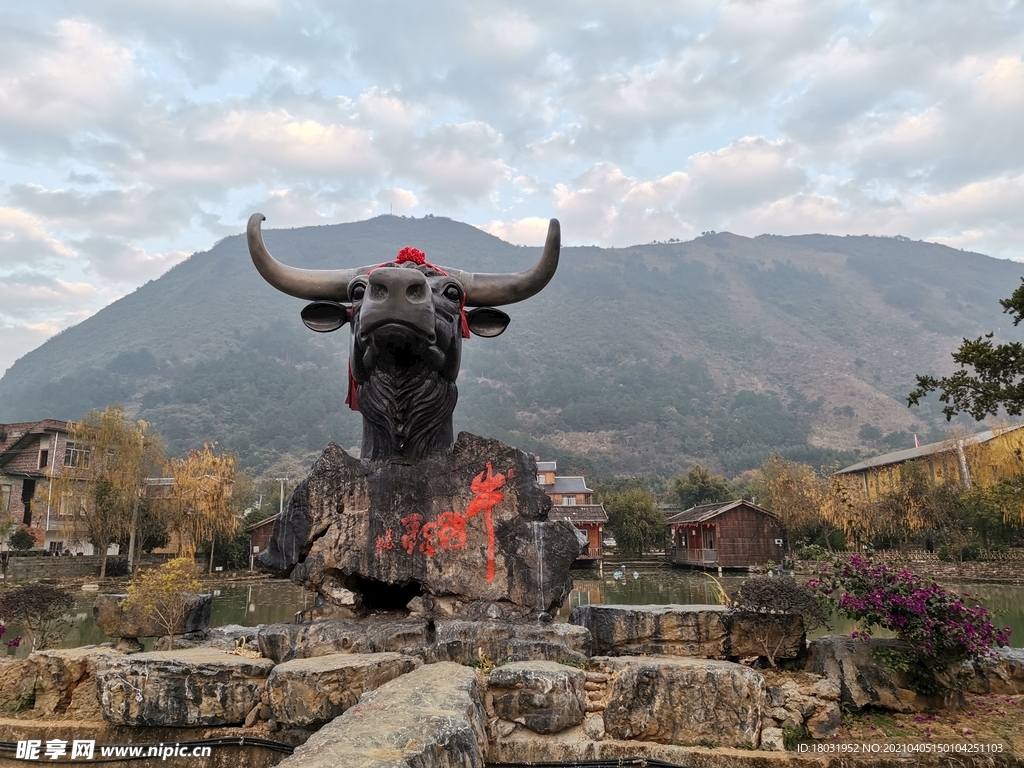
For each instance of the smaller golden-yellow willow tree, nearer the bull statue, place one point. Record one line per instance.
(200, 507)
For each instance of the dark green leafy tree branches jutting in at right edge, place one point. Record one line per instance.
(992, 375)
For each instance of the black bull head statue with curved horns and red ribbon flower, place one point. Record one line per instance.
(409, 319)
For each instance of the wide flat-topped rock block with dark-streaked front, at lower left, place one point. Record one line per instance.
(193, 688)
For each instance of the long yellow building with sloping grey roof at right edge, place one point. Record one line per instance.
(982, 459)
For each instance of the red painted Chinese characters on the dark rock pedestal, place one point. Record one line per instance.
(449, 532)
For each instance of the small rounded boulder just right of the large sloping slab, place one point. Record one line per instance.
(548, 697)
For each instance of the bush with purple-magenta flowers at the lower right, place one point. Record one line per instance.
(940, 627)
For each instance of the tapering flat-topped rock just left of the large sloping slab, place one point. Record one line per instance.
(311, 692)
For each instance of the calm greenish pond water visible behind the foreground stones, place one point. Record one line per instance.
(277, 602)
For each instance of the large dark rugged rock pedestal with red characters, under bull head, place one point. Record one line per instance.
(463, 533)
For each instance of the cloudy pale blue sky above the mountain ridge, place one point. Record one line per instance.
(134, 135)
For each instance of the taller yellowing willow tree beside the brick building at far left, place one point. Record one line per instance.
(100, 486)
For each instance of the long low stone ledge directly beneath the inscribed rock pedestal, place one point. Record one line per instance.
(443, 641)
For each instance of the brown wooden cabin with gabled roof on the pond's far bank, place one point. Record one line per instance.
(727, 535)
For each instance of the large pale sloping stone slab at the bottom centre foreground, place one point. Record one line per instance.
(432, 718)
